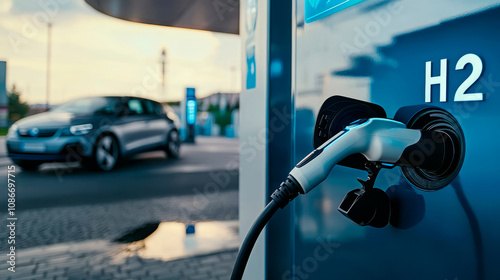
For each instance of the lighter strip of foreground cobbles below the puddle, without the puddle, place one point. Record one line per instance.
(89, 261)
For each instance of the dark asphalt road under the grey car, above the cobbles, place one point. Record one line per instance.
(211, 162)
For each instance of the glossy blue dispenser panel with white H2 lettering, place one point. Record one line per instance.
(399, 53)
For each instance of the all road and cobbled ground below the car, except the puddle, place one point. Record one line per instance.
(68, 216)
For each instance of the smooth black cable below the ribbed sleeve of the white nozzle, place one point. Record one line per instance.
(251, 238)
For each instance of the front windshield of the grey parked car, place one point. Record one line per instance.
(92, 105)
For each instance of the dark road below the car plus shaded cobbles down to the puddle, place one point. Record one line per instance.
(63, 203)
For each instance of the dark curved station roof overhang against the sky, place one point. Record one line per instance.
(210, 15)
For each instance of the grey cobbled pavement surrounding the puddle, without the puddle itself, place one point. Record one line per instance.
(95, 257)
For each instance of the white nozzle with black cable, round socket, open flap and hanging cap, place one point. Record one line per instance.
(427, 143)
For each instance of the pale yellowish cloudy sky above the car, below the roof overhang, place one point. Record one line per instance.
(95, 54)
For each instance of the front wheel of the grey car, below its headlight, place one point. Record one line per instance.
(106, 153)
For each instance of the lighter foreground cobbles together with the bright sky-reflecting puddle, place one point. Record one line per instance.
(166, 250)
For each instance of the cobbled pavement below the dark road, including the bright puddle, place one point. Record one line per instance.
(152, 250)
